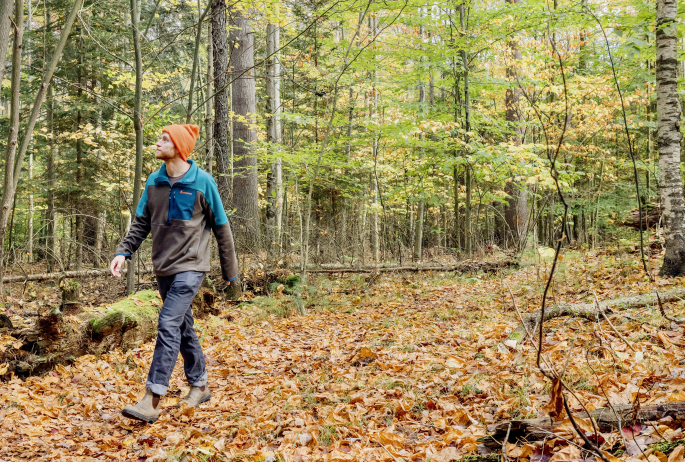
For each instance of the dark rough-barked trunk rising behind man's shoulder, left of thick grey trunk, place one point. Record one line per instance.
(220, 65)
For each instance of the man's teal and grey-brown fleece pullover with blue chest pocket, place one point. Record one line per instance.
(181, 218)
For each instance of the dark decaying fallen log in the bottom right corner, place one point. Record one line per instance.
(607, 419)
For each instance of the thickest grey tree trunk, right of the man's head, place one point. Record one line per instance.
(245, 180)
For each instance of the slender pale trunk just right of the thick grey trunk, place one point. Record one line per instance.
(274, 181)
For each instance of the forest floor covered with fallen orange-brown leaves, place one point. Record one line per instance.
(411, 368)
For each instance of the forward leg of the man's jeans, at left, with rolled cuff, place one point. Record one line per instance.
(172, 317)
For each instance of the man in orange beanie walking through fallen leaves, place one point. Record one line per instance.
(180, 205)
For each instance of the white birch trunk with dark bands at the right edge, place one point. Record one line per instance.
(669, 138)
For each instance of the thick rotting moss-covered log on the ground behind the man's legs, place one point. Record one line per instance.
(60, 338)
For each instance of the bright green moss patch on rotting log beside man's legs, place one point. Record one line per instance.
(125, 313)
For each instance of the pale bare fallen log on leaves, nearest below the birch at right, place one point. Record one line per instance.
(589, 311)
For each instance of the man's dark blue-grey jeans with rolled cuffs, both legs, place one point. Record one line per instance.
(176, 333)
